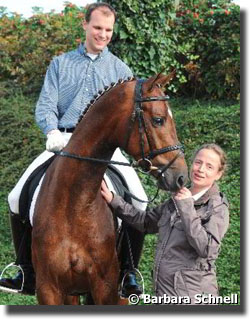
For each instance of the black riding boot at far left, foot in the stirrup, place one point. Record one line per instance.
(21, 235)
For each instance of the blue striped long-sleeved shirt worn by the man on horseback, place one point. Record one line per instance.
(71, 81)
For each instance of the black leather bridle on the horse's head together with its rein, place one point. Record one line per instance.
(145, 161)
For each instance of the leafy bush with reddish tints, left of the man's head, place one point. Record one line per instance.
(28, 45)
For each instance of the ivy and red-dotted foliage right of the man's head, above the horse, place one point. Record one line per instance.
(200, 39)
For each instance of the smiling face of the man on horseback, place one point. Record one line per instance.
(99, 31)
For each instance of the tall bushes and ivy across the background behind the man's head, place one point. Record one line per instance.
(200, 39)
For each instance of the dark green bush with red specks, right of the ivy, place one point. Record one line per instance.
(208, 39)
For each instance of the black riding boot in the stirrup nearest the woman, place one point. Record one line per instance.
(131, 249)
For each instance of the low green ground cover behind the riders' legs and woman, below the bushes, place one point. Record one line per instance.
(197, 122)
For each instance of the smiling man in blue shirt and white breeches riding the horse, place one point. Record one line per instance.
(71, 81)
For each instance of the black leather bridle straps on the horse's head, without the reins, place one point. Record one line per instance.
(138, 113)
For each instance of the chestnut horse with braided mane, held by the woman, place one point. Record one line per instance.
(73, 238)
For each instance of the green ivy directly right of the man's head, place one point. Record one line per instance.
(142, 36)
